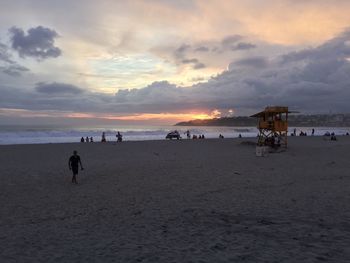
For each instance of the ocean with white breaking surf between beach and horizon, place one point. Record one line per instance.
(64, 134)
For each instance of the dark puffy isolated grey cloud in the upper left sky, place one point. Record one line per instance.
(38, 42)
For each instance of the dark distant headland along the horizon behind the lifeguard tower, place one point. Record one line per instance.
(321, 120)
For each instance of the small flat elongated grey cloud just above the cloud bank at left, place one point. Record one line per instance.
(57, 88)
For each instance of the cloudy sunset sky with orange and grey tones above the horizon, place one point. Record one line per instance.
(163, 61)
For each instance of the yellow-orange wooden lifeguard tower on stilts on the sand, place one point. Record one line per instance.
(273, 126)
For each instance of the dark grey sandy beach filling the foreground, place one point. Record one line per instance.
(176, 201)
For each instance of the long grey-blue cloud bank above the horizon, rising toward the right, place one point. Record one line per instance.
(312, 80)
